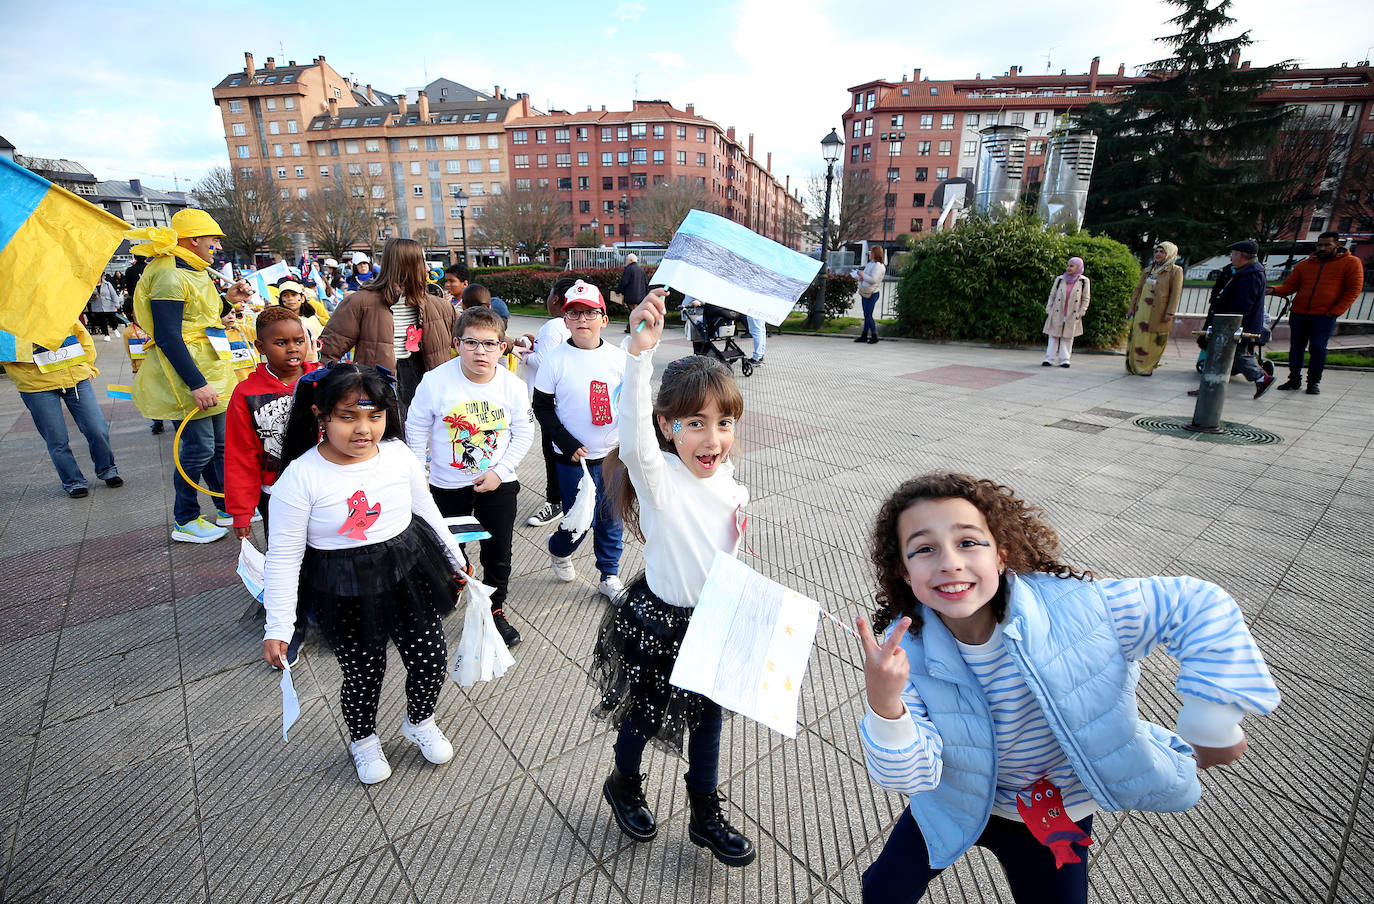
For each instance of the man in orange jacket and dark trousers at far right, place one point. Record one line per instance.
(1322, 288)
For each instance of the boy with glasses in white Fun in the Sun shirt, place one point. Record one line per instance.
(472, 418)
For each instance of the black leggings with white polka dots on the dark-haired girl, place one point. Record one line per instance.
(363, 664)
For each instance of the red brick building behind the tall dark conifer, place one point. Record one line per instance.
(941, 122)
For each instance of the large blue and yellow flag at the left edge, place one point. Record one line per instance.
(53, 249)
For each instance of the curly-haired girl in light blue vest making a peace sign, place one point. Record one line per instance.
(1002, 699)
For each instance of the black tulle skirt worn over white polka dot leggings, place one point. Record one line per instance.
(392, 589)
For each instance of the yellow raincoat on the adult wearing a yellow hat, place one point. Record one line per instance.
(159, 392)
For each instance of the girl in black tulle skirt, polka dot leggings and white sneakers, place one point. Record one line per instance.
(355, 527)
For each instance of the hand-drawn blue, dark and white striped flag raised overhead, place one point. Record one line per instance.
(733, 267)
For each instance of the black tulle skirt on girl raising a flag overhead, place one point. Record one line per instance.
(637, 648)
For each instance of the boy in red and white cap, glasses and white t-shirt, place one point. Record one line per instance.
(575, 402)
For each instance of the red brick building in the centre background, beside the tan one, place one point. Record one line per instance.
(607, 157)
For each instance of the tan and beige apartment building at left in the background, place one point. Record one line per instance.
(307, 131)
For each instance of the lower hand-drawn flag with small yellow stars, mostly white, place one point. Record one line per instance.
(748, 645)
